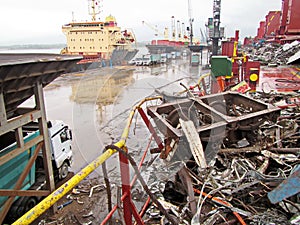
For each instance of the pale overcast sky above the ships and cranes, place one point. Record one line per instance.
(40, 21)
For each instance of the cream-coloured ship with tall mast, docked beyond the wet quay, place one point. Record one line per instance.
(100, 43)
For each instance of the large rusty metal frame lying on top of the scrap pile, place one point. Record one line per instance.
(218, 118)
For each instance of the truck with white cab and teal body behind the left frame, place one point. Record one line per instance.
(62, 156)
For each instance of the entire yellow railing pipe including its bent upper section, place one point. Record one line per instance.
(46, 203)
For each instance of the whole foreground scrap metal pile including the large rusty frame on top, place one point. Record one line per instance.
(228, 159)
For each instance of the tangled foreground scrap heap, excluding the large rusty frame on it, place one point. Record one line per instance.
(254, 184)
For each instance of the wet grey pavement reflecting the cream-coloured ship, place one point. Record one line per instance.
(96, 103)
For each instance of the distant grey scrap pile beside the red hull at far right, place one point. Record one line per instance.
(275, 54)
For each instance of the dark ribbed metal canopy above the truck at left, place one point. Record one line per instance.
(19, 74)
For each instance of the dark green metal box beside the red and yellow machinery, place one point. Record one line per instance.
(221, 66)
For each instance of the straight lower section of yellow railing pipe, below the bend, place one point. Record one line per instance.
(46, 203)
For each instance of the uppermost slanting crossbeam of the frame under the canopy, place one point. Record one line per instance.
(19, 121)
